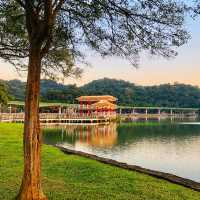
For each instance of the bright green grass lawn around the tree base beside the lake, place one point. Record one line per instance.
(74, 177)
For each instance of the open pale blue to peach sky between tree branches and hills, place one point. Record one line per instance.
(185, 68)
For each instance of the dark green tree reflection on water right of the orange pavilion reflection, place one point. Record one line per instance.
(130, 133)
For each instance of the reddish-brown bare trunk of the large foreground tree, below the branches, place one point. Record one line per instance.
(31, 182)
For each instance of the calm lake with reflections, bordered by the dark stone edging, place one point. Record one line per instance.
(164, 146)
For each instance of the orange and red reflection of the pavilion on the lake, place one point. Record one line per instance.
(97, 136)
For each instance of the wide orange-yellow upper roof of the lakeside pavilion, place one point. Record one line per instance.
(97, 98)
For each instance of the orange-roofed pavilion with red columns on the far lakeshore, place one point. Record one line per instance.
(104, 105)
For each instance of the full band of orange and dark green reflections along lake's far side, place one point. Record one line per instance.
(107, 136)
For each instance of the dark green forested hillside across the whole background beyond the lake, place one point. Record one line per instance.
(180, 95)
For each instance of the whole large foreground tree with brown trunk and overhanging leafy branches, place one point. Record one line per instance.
(51, 36)
